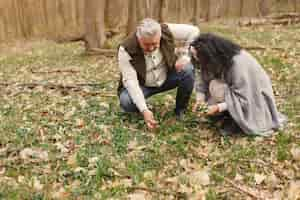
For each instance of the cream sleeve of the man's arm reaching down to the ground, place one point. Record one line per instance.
(130, 81)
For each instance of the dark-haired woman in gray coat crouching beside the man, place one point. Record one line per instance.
(233, 83)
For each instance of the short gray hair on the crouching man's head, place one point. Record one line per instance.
(148, 28)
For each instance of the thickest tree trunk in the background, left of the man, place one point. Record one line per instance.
(94, 24)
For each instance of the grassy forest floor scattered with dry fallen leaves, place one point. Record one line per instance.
(64, 136)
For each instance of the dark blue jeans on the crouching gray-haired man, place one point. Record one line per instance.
(183, 81)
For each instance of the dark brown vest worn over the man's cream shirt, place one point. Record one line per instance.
(167, 48)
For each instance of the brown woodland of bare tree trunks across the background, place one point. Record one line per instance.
(71, 20)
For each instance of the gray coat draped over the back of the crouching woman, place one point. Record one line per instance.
(249, 97)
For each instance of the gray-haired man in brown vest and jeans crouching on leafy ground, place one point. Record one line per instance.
(148, 66)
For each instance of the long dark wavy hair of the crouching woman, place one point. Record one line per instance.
(215, 53)
